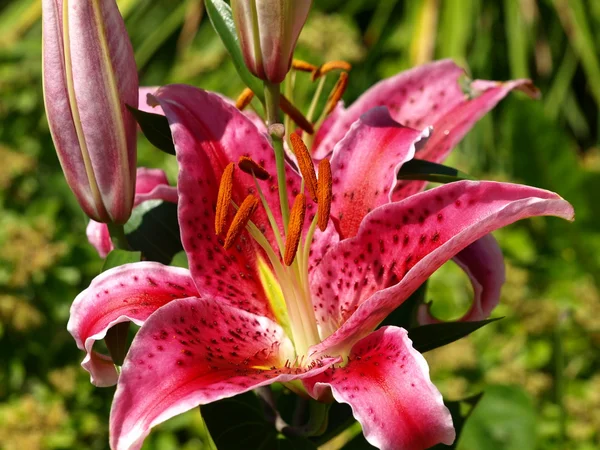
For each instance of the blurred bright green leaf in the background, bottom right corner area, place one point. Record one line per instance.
(505, 419)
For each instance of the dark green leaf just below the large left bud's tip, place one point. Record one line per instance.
(153, 229)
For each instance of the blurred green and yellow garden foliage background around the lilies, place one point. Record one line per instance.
(538, 366)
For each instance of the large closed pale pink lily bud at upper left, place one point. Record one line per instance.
(89, 78)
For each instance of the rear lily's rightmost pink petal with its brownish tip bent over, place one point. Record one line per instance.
(449, 129)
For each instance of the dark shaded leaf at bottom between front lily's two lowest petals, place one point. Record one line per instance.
(239, 422)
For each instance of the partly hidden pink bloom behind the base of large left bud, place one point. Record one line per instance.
(151, 184)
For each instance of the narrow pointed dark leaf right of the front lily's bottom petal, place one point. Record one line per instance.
(429, 337)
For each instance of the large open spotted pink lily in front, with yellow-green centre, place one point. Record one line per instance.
(240, 319)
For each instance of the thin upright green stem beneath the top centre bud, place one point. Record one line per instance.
(272, 110)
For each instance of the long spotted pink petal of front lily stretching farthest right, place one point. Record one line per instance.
(399, 245)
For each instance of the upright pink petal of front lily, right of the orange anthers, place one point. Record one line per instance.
(364, 165)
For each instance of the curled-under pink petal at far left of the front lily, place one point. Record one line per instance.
(131, 292)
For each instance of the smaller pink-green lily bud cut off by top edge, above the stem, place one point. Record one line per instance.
(268, 31)
